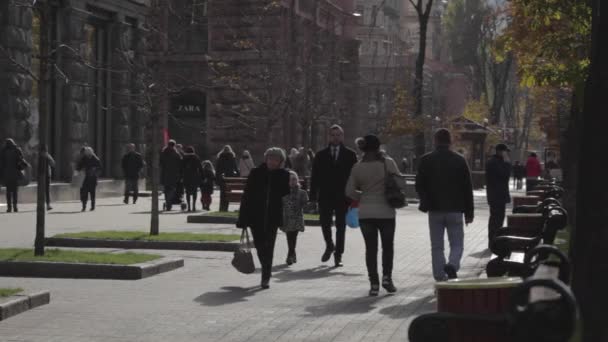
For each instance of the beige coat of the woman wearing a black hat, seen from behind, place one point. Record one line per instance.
(366, 185)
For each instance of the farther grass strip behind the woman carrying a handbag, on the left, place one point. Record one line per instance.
(145, 236)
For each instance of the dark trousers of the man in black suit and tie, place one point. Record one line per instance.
(326, 212)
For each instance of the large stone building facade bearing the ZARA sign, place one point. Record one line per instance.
(259, 73)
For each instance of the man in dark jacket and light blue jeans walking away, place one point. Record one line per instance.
(443, 183)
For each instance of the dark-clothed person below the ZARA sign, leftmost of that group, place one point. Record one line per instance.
(171, 167)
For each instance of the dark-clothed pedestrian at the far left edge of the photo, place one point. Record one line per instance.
(12, 171)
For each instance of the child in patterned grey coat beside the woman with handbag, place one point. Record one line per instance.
(293, 215)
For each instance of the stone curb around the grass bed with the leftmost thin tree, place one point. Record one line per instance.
(40, 269)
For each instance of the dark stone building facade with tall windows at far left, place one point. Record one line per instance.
(94, 44)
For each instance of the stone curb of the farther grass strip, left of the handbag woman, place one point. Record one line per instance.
(143, 244)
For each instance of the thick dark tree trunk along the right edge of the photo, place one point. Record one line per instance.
(590, 283)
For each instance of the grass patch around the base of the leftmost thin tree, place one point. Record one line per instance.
(70, 256)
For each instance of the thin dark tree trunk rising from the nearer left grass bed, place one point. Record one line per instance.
(43, 105)
